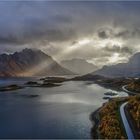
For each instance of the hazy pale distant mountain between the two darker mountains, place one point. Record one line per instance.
(79, 66)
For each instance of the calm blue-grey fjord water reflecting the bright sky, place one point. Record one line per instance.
(59, 112)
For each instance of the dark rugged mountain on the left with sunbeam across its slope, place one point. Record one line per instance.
(30, 62)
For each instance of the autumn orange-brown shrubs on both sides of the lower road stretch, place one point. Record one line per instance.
(110, 125)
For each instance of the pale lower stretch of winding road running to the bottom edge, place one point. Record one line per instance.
(125, 122)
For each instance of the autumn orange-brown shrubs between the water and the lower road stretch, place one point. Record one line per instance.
(110, 126)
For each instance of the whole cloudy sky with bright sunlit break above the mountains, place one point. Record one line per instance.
(101, 32)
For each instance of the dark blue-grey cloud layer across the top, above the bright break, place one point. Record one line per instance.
(59, 21)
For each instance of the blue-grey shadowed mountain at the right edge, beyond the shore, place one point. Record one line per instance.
(130, 69)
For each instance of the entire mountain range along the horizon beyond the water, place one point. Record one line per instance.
(31, 62)
